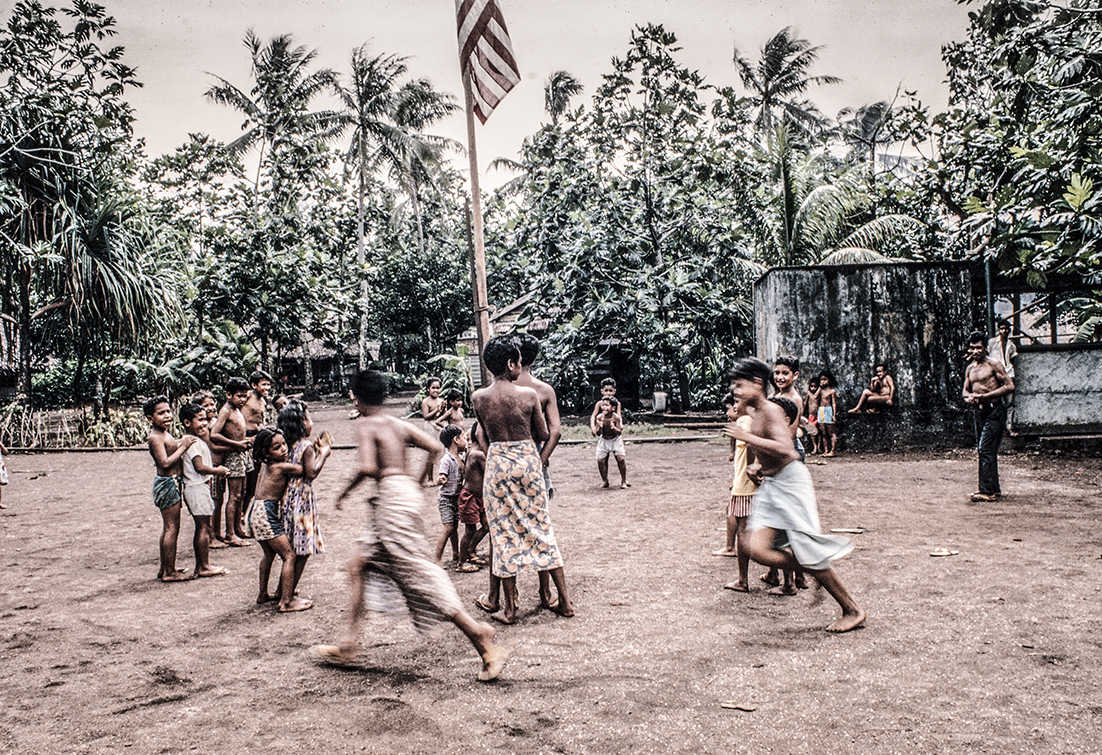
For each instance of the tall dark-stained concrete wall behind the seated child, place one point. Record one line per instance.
(915, 317)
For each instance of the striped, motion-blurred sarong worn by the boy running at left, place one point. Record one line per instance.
(398, 562)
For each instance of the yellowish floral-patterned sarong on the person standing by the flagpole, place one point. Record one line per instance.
(517, 510)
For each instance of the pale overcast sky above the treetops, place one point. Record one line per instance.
(874, 46)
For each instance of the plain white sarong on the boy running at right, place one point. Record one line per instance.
(786, 502)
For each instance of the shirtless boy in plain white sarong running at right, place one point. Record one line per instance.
(785, 504)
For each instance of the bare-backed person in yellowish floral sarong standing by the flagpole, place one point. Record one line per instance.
(513, 422)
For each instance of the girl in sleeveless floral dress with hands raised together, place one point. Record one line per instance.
(300, 510)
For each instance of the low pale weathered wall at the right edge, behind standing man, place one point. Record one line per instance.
(1058, 390)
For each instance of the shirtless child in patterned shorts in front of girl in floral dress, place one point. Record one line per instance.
(266, 520)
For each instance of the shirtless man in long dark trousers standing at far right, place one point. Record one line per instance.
(986, 386)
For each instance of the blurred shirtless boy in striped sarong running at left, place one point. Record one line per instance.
(395, 549)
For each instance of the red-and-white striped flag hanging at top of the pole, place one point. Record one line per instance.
(485, 55)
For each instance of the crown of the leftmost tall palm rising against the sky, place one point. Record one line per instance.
(278, 105)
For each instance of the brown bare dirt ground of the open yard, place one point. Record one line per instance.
(997, 650)
